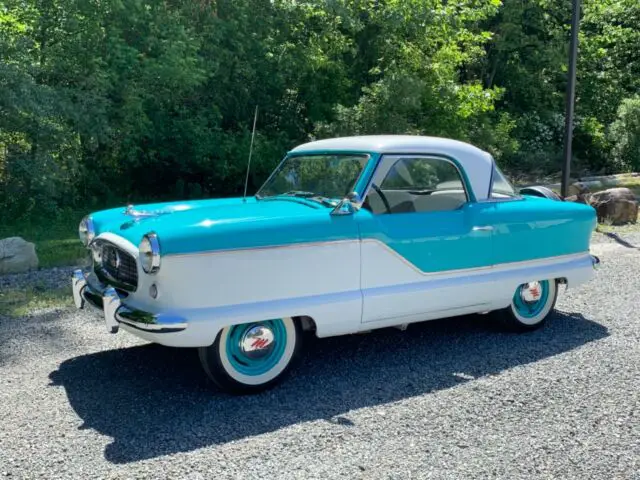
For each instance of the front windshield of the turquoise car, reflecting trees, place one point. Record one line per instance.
(324, 178)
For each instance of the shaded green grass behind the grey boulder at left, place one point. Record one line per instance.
(56, 240)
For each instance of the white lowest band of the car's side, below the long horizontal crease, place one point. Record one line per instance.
(335, 314)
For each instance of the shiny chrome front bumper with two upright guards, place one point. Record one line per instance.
(88, 290)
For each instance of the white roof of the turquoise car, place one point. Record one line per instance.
(477, 163)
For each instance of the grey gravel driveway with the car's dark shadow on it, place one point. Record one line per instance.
(447, 400)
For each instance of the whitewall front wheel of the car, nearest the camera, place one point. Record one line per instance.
(252, 357)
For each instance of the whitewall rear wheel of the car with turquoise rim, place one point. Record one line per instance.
(531, 305)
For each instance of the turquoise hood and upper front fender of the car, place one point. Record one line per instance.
(207, 225)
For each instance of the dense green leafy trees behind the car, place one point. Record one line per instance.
(105, 101)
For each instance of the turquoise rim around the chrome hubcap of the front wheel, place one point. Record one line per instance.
(247, 365)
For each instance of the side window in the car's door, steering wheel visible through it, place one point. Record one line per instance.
(419, 184)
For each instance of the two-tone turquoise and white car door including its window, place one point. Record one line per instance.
(425, 241)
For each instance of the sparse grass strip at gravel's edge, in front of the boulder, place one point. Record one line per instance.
(18, 302)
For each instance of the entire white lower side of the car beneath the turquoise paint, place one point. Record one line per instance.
(345, 287)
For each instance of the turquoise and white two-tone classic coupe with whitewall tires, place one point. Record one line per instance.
(346, 235)
